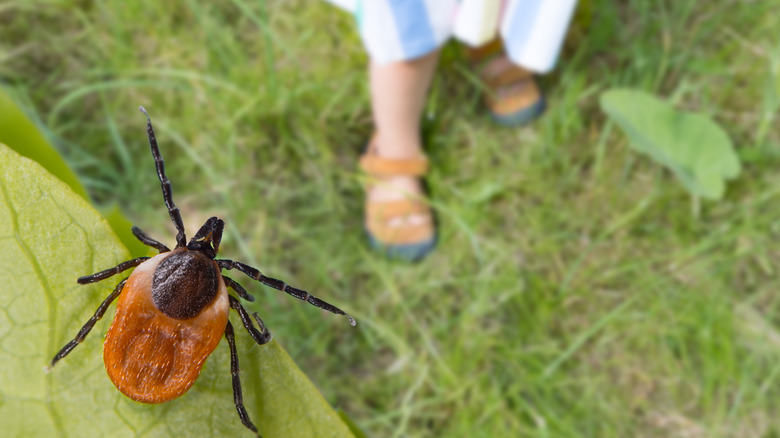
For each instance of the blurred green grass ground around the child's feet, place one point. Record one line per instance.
(573, 293)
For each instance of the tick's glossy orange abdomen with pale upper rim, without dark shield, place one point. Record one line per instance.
(151, 357)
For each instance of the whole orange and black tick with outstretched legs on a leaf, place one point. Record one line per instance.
(173, 310)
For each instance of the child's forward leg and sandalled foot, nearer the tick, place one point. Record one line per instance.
(398, 220)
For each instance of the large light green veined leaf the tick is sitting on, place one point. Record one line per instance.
(50, 236)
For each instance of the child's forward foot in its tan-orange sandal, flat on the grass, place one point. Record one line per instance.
(398, 220)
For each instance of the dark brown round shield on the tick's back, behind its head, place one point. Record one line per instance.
(184, 284)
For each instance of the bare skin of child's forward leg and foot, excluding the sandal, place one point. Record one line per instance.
(398, 94)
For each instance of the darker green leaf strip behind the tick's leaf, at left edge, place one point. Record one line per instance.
(21, 135)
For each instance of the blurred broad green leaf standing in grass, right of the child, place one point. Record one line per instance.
(691, 145)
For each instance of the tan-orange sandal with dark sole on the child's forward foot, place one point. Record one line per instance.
(407, 241)
